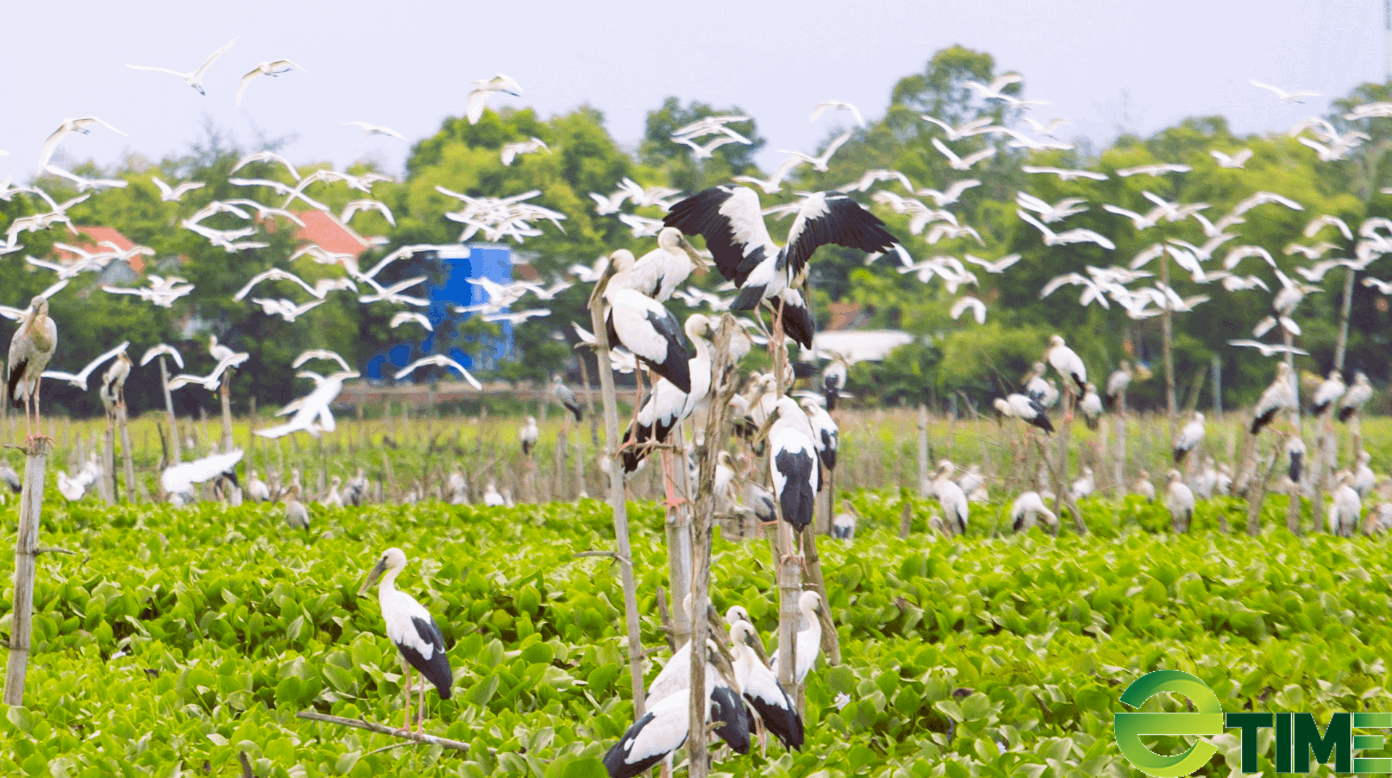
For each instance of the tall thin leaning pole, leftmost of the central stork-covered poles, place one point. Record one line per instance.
(616, 495)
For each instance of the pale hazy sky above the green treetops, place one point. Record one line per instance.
(409, 65)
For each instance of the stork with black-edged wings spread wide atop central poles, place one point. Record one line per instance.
(733, 223)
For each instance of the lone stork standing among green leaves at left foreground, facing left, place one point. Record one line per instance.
(413, 630)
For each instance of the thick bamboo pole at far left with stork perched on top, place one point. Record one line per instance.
(26, 559)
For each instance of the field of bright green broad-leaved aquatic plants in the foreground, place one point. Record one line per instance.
(176, 640)
